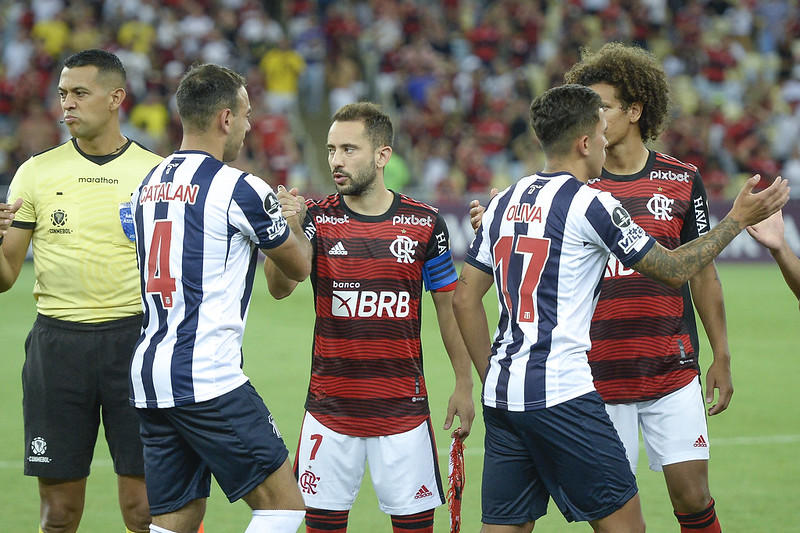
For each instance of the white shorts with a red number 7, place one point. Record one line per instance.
(404, 468)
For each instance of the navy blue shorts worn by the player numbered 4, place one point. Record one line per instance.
(233, 437)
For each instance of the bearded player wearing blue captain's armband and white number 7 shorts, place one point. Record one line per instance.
(375, 251)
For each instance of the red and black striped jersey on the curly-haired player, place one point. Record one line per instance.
(644, 335)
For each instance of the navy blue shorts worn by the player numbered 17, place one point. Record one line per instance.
(570, 452)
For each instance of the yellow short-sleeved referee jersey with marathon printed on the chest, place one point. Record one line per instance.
(77, 206)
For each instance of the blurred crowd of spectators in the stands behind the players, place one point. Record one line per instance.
(457, 76)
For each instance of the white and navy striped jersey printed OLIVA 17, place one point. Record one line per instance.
(546, 240)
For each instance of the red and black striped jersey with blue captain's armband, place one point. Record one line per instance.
(368, 271)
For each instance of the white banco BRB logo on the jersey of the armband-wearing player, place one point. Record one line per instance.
(367, 304)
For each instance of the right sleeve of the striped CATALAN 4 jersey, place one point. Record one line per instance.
(256, 212)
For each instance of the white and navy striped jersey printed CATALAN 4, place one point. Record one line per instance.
(198, 223)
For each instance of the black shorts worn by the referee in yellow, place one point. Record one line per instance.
(74, 373)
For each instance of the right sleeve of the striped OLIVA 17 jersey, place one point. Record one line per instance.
(616, 229)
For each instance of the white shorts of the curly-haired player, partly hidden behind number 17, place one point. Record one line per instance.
(674, 428)
